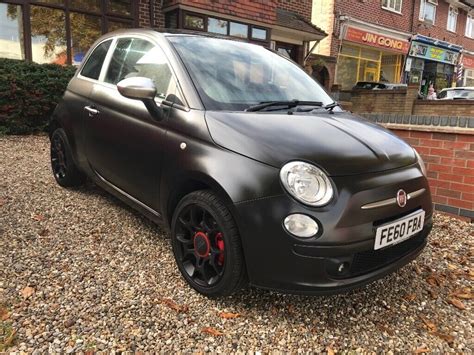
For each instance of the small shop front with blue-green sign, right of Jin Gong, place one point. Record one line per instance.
(431, 62)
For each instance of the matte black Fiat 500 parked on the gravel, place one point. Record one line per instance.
(256, 173)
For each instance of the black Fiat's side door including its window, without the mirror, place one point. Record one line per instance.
(124, 142)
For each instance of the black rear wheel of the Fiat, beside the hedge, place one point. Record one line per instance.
(64, 170)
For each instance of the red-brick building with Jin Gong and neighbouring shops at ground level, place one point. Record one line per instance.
(424, 42)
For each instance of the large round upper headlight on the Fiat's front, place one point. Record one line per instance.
(307, 183)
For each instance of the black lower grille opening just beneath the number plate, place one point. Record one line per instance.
(367, 261)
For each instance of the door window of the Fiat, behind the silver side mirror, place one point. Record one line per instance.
(136, 57)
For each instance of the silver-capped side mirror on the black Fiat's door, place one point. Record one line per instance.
(140, 88)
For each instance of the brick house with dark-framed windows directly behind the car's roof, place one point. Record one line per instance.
(61, 31)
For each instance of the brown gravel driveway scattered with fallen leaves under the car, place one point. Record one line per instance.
(81, 271)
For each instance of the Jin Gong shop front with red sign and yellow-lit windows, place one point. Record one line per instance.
(375, 55)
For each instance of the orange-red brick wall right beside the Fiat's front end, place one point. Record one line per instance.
(449, 159)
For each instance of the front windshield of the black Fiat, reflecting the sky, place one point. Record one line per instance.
(233, 76)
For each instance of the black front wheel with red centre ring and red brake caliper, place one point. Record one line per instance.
(206, 245)
